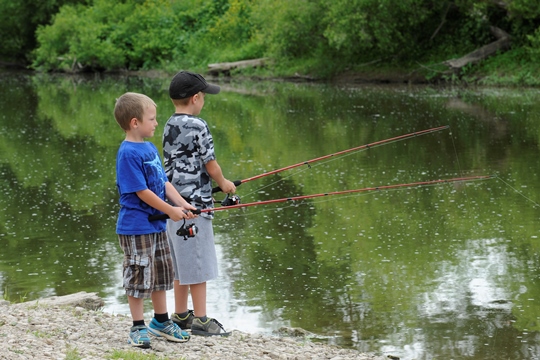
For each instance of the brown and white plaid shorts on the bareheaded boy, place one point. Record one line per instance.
(147, 264)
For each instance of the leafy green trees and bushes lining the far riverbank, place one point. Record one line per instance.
(320, 37)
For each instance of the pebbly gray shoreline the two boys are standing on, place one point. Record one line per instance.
(73, 327)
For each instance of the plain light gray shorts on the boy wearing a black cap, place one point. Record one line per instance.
(194, 259)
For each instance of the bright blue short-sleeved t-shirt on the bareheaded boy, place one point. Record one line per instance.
(138, 167)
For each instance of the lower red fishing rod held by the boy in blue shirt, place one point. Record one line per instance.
(303, 197)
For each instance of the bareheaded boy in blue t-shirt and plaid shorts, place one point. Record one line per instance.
(143, 188)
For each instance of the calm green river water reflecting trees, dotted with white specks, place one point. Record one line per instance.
(445, 270)
